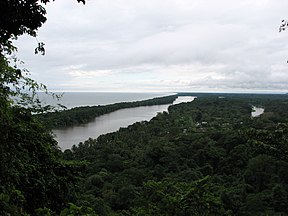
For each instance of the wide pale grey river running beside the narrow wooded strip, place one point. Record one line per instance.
(110, 122)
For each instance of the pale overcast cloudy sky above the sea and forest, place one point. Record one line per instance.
(161, 46)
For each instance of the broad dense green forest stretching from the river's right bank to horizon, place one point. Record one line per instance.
(206, 157)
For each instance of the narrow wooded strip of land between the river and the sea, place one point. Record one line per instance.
(85, 114)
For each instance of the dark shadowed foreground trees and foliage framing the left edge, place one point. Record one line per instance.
(33, 174)
